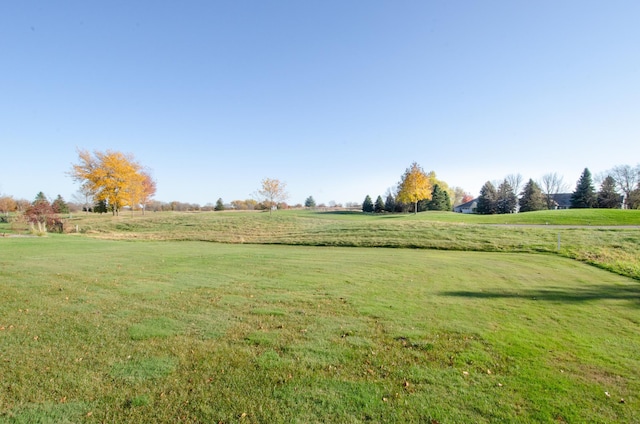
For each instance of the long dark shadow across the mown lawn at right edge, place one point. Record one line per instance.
(629, 293)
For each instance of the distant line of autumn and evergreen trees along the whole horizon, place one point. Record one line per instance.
(110, 181)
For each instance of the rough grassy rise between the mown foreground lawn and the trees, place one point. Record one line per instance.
(616, 249)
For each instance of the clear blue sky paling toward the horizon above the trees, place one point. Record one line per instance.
(336, 98)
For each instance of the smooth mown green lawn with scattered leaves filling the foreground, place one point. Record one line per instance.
(184, 331)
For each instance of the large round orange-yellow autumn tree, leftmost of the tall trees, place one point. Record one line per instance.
(111, 176)
